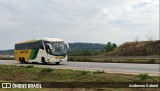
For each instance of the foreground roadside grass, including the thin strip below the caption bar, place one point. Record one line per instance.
(34, 74)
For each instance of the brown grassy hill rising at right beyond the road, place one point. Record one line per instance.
(141, 48)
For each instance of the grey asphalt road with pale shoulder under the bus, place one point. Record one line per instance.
(125, 68)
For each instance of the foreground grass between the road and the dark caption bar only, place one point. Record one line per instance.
(28, 74)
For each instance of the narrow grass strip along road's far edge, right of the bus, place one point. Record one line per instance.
(114, 59)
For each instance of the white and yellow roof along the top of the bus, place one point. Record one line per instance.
(43, 39)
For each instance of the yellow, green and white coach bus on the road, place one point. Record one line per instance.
(45, 50)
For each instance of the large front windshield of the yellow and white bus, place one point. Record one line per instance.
(57, 48)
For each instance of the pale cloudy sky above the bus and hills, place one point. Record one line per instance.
(94, 21)
